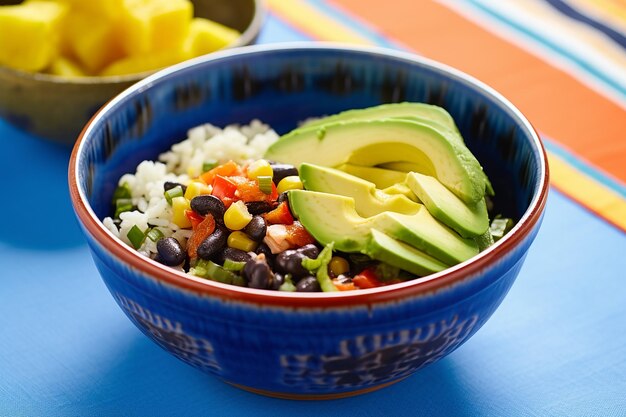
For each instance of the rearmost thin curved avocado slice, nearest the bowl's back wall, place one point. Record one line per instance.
(421, 112)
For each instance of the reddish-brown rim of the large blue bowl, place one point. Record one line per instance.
(413, 288)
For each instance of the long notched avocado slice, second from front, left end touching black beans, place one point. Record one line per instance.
(333, 218)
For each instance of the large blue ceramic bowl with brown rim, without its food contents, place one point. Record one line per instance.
(303, 345)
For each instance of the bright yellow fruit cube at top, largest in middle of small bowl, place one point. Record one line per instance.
(155, 25)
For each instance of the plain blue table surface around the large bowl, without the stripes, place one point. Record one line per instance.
(556, 346)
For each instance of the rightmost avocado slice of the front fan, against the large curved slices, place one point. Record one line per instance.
(468, 220)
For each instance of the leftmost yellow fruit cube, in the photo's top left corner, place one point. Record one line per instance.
(29, 34)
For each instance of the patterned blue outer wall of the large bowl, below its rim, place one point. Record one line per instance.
(303, 352)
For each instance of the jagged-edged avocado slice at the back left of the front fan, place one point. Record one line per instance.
(369, 201)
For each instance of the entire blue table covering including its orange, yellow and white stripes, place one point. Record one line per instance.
(556, 346)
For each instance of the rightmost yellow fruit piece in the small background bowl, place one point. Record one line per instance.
(206, 36)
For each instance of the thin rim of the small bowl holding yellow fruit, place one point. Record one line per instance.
(247, 36)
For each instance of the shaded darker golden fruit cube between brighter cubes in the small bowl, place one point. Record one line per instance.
(92, 40)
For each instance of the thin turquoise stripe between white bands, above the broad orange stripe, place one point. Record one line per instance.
(587, 66)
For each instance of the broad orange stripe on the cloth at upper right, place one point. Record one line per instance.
(587, 123)
